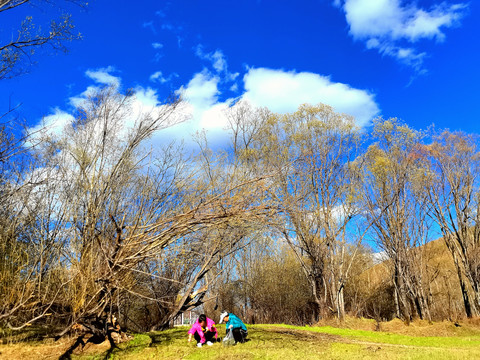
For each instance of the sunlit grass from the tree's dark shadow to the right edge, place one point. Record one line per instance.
(295, 342)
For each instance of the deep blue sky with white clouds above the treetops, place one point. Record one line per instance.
(415, 60)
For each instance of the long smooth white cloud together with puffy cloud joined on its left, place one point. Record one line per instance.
(280, 91)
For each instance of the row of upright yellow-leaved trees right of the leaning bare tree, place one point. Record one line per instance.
(338, 189)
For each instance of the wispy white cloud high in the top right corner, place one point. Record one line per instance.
(393, 27)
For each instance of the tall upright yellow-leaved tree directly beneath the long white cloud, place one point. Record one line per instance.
(312, 153)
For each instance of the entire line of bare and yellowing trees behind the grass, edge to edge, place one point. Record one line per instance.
(276, 226)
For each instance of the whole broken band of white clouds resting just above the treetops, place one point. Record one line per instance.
(280, 91)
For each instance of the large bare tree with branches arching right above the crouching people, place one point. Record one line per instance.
(137, 227)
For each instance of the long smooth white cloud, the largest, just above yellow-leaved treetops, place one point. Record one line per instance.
(283, 91)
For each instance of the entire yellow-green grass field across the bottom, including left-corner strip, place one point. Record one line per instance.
(277, 342)
